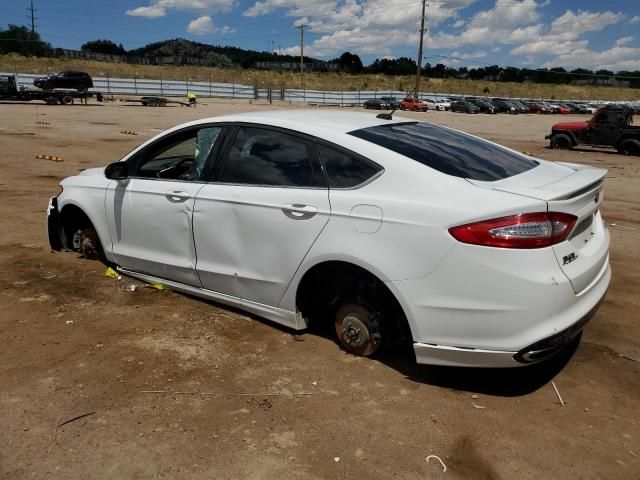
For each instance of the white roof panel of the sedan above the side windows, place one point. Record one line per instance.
(315, 123)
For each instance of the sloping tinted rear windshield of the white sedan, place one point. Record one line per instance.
(448, 151)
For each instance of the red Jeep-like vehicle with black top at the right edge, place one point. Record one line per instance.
(611, 126)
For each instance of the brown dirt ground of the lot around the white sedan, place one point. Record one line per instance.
(74, 342)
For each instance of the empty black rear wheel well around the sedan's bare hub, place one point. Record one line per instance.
(326, 285)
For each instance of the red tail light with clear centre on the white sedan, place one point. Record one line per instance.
(528, 230)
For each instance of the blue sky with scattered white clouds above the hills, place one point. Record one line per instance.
(534, 33)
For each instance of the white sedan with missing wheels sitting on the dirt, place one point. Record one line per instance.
(392, 231)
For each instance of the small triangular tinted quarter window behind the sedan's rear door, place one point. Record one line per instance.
(345, 170)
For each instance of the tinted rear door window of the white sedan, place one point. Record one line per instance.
(267, 157)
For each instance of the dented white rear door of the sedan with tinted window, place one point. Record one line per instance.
(256, 222)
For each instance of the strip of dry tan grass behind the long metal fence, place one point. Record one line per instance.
(315, 81)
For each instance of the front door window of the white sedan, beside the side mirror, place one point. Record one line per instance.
(180, 156)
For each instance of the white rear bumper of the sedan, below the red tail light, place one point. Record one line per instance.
(496, 308)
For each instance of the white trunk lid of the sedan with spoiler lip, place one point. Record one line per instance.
(573, 189)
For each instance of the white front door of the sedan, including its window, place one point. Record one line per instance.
(150, 213)
